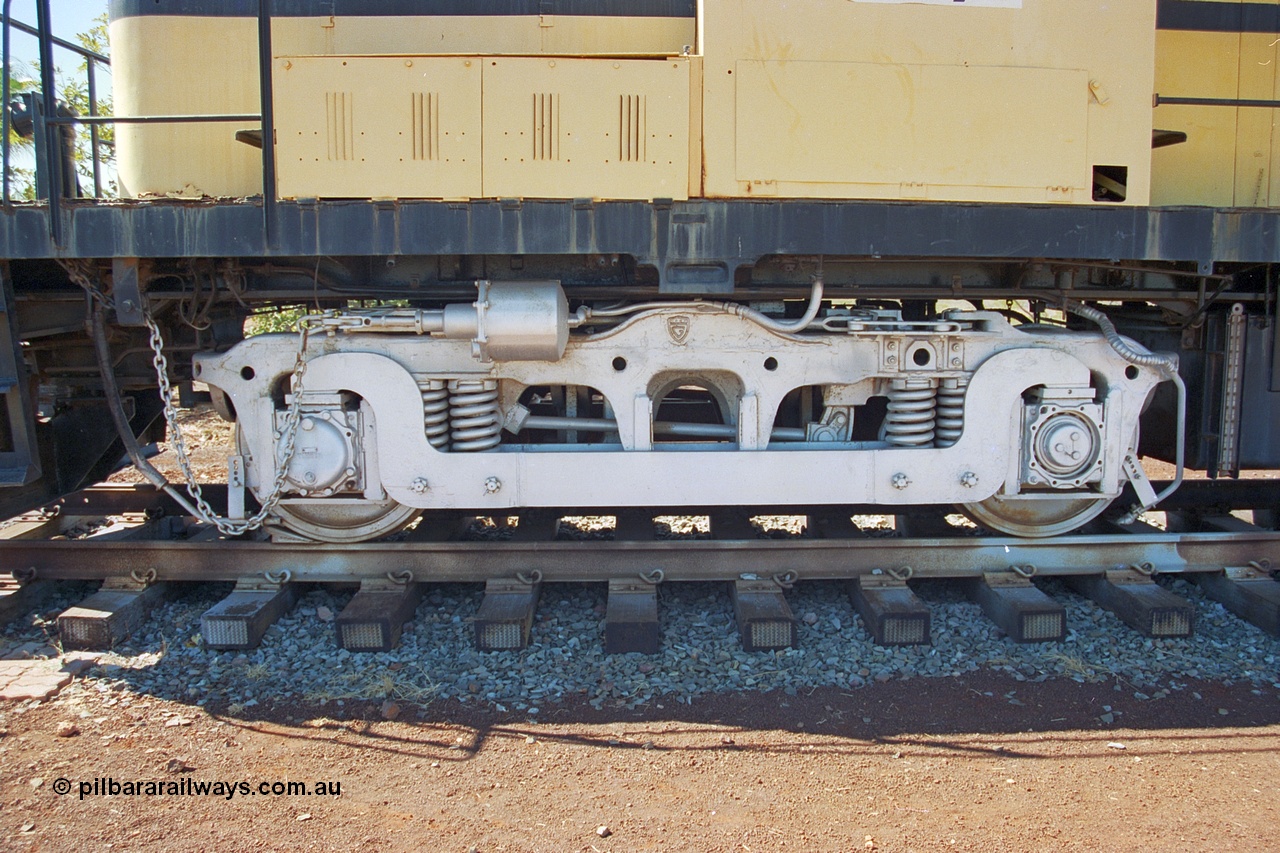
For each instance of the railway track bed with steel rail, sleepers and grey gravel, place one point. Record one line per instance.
(520, 619)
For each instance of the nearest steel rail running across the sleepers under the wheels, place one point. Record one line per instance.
(679, 560)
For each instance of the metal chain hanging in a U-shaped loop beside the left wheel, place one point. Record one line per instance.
(292, 419)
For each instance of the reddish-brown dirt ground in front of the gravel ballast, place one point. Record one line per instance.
(975, 764)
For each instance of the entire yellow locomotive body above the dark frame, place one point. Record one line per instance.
(990, 101)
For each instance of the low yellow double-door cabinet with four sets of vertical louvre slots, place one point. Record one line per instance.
(472, 127)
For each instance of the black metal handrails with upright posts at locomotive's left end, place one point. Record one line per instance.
(49, 94)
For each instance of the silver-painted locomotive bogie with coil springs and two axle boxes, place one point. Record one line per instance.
(1054, 413)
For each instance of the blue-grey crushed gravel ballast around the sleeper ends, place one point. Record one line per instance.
(701, 651)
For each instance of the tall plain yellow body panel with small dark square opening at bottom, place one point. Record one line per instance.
(998, 102)
